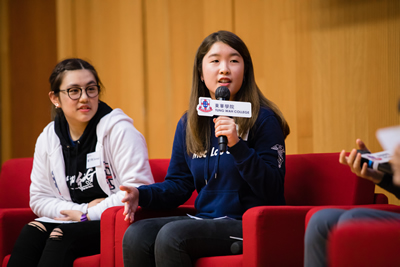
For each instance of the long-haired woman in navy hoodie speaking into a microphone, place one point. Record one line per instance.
(251, 173)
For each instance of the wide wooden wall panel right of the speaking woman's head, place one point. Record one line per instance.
(331, 66)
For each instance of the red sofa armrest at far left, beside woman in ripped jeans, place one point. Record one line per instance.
(12, 221)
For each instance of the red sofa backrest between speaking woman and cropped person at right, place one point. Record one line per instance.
(319, 179)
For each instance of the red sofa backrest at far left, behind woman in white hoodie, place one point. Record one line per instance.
(15, 179)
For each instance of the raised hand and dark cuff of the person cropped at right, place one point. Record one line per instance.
(354, 162)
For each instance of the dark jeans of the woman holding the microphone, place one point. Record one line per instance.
(177, 241)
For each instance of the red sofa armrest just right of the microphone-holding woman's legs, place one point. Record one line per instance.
(272, 235)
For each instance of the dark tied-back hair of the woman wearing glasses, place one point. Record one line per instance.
(58, 73)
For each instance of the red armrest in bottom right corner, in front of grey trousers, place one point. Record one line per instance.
(363, 244)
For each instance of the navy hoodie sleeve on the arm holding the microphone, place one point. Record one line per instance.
(261, 160)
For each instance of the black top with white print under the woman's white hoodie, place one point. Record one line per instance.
(82, 182)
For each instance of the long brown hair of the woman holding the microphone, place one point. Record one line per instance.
(198, 128)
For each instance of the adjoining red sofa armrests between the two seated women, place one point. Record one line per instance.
(113, 227)
